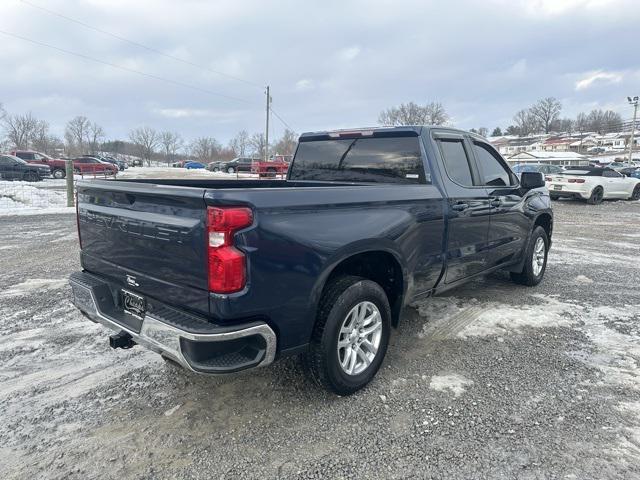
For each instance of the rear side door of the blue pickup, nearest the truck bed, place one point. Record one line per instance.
(466, 244)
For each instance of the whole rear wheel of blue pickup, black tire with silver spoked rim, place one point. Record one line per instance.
(351, 335)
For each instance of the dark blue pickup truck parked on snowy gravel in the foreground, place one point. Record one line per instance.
(224, 275)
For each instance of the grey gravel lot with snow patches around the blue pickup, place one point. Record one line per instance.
(492, 380)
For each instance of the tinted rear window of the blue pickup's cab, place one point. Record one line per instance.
(375, 160)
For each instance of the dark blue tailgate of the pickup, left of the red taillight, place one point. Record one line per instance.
(149, 238)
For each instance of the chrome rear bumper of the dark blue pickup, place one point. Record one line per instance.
(220, 350)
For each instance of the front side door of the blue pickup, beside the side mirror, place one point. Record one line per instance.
(509, 226)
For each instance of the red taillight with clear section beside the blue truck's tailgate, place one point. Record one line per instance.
(227, 264)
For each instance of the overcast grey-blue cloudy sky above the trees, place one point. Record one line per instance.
(330, 64)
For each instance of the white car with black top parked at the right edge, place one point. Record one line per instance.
(592, 184)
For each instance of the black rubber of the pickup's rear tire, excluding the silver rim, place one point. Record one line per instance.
(321, 360)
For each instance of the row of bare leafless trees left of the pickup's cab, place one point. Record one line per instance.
(82, 136)
